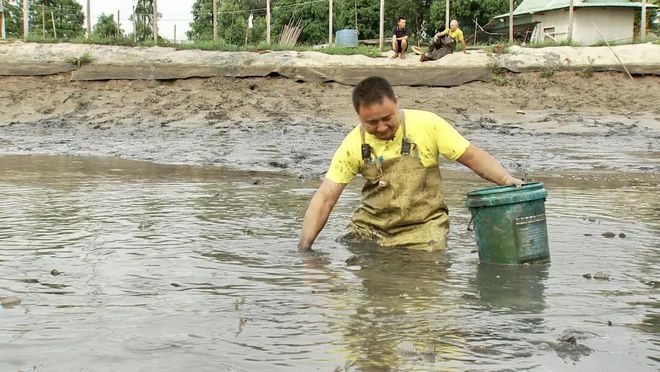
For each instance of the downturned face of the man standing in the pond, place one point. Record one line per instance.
(380, 119)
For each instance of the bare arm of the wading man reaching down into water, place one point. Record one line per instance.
(318, 212)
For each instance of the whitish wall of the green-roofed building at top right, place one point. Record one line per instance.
(616, 24)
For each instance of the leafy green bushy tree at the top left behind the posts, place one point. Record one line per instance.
(68, 16)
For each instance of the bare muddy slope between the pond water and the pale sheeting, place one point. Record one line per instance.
(534, 125)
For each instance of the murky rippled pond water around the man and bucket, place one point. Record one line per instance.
(179, 267)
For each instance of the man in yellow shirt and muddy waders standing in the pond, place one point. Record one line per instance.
(396, 151)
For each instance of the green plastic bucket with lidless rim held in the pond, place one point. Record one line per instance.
(509, 223)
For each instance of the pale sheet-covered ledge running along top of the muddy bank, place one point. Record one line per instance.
(157, 63)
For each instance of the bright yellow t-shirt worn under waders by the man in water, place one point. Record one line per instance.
(432, 135)
